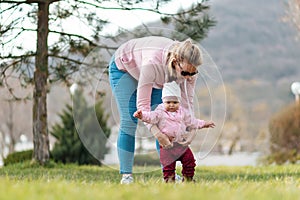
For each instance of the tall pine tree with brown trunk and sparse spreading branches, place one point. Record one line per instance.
(58, 60)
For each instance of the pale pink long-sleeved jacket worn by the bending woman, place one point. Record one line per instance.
(145, 60)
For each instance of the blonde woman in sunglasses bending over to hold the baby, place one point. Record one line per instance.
(137, 72)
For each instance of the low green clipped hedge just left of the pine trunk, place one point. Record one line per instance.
(18, 157)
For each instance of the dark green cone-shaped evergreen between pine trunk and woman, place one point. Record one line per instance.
(78, 133)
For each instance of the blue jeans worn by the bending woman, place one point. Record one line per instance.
(124, 89)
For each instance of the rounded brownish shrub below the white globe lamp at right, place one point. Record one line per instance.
(284, 130)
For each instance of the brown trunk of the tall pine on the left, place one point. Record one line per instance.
(40, 126)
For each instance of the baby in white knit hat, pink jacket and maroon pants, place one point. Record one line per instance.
(173, 120)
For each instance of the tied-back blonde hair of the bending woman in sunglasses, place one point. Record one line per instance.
(184, 51)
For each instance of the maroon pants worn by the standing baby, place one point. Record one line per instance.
(168, 158)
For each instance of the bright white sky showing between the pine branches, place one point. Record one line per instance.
(118, 18)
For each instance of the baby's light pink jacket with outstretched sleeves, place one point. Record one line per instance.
(173, 124)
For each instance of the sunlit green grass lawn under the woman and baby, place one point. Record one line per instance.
(25, 181)
